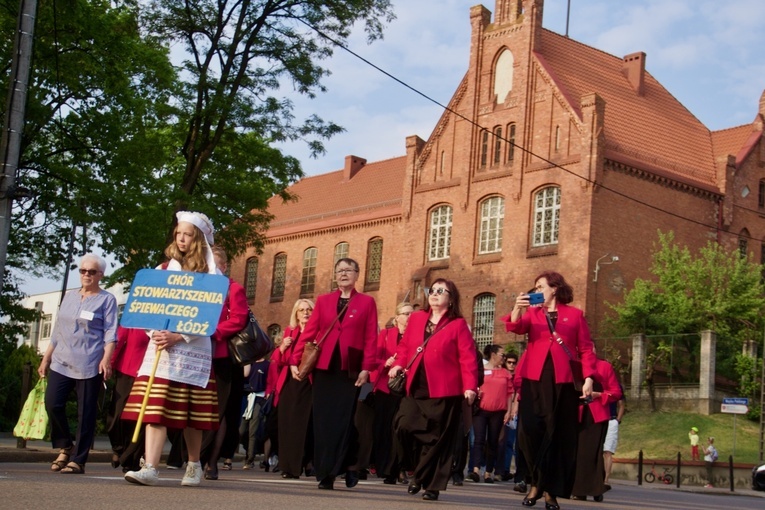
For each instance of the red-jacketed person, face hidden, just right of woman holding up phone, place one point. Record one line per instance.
(593, 425)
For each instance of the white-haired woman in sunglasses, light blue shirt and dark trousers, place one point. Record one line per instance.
(79, 357)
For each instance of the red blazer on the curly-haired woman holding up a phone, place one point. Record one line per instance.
(572, 328)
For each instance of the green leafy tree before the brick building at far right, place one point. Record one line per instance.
(715, 289)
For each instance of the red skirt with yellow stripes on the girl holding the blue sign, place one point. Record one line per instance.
(174, 405)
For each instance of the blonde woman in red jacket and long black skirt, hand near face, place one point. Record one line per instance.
(295, 399)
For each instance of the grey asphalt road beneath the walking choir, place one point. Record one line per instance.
(31, 485)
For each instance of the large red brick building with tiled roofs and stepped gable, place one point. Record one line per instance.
(551, 155)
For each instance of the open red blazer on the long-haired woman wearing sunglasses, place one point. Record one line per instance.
(450, 358)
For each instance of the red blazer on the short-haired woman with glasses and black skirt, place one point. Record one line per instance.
(356, 334)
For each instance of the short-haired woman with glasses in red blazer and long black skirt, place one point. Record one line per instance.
(346, 320)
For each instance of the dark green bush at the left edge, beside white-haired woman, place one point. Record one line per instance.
(12, 362)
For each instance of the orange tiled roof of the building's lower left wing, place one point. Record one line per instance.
(325, 200)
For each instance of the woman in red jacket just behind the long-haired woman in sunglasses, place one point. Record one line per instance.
(386, 404)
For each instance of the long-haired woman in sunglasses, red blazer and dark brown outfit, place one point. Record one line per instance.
(443, 374)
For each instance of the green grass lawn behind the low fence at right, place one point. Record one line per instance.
(661, 435)
